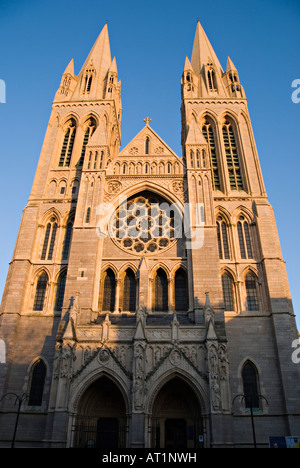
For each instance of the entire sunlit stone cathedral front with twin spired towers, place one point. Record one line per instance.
(147, 290)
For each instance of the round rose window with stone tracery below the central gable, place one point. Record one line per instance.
(145, 224)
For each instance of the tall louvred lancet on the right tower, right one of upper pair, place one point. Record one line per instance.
(232, 157)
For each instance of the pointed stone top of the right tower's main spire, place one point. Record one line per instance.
(203, 52)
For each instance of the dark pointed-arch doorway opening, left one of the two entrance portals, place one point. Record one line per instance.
(101, 417)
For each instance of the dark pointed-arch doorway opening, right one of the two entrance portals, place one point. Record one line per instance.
(176, 417)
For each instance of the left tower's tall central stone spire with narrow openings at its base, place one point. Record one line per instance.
(92, 75)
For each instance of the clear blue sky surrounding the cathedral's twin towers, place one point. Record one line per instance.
(150, 41)
